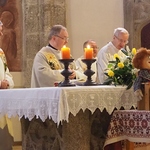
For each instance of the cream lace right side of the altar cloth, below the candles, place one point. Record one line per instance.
(92, 97)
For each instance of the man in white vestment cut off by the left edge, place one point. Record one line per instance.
(6, 82)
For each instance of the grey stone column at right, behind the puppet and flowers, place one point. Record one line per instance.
(136, 16)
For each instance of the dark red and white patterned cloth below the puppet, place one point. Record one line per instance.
(132, 125)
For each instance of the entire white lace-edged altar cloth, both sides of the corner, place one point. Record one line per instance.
(58, 102)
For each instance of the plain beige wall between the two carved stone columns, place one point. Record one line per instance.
(92, 19)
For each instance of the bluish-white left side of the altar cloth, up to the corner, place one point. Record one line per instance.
(30, 102)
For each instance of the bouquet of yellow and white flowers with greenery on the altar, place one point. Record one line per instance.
(121, 71)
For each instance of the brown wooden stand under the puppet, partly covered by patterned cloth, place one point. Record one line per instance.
(144, 104)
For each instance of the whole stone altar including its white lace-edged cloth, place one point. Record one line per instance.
(64, 115)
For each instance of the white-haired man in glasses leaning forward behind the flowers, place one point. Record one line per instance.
(106, 53)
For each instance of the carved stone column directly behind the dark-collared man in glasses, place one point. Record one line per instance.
(38, 17)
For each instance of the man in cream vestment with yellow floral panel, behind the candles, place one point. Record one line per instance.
(46, 70)
